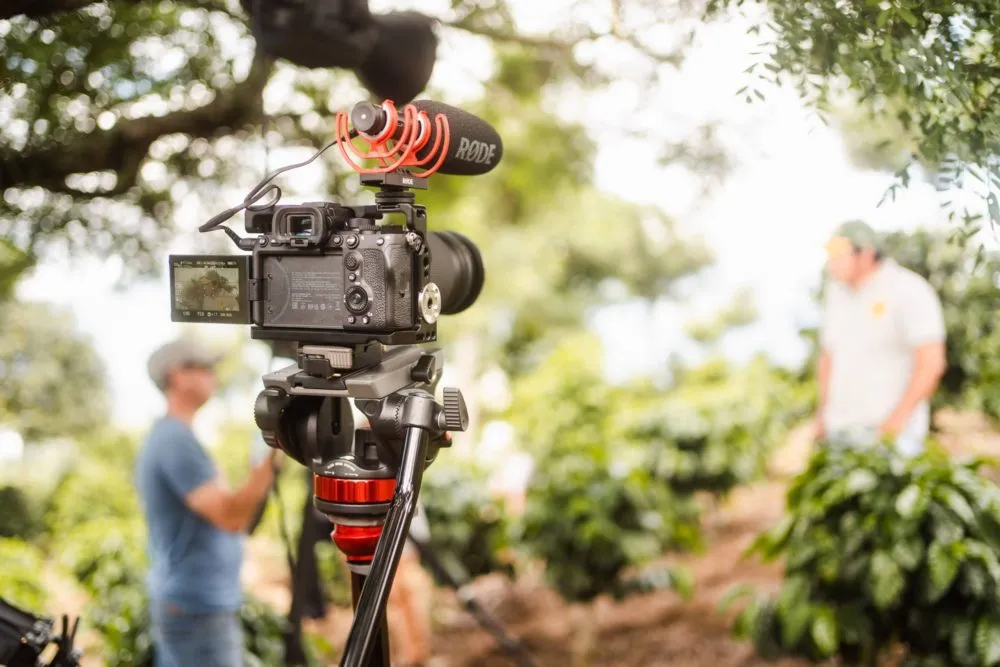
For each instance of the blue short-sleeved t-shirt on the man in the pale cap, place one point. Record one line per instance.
(193, 564)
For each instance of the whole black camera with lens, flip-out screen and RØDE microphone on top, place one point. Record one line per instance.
(330, 274)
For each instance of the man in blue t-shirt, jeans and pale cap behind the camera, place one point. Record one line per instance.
(196, 523)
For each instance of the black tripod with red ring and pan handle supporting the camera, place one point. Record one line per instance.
(366, 480)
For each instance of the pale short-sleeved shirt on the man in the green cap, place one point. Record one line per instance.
(872, 334)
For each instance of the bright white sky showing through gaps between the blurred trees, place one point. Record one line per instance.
(767, 222)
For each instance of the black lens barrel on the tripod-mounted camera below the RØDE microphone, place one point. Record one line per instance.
(457, 270)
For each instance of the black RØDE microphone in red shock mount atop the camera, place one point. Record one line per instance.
(468, 145)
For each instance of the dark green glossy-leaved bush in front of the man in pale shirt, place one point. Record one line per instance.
(881, 550)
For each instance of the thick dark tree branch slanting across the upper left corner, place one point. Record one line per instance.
(123, 147)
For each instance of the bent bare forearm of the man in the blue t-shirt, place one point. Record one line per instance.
(233, 510)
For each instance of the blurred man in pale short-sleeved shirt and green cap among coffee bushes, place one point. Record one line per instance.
(883, 346)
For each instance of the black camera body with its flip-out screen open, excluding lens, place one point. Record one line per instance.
(321, 273)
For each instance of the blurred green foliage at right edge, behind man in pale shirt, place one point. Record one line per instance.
(964, 276)
